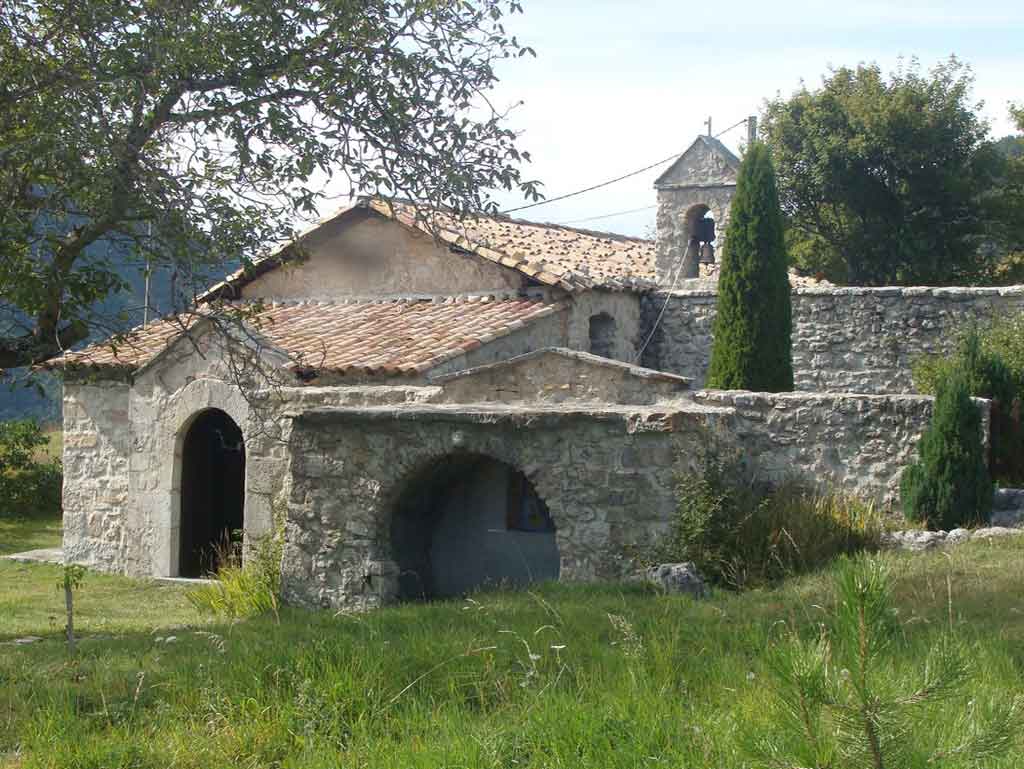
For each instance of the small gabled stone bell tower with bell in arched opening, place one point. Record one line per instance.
(694, 199)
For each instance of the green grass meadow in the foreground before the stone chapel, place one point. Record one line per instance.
(564, 676)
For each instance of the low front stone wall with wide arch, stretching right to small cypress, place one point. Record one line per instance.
(607, 474)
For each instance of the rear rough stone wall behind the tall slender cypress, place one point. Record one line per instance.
(845, 339)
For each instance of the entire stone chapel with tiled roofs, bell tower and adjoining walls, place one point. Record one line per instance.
(426, 405)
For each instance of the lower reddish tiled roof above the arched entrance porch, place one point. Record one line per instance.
(393, 338)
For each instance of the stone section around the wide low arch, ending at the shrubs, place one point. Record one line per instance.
(607, 477)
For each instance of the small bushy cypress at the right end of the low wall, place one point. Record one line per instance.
(950, 486)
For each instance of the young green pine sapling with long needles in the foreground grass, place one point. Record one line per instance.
(838, 704)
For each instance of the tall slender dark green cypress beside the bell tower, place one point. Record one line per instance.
(754, 324)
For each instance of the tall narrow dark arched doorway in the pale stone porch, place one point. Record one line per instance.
(214, 473)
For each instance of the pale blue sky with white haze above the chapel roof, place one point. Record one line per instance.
(619, 86)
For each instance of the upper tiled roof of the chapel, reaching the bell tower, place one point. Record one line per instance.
(550, 254)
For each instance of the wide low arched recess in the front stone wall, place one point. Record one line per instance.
(468, 522)
